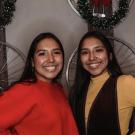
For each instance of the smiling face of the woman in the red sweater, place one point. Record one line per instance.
(48, 60)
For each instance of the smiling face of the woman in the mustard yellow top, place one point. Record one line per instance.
(94, 57)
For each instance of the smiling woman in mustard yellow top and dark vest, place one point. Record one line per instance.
(102, 98)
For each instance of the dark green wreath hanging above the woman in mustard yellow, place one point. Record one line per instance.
(85, 9)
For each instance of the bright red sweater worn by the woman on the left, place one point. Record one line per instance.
(36, 109)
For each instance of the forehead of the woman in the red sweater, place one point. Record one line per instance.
(48, 43)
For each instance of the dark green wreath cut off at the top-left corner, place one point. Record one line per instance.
(7, 8)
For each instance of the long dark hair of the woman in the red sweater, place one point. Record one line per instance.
(28, 73)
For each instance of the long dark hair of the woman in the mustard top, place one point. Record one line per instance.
(82, 77)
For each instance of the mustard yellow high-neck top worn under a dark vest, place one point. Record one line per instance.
(125, 93)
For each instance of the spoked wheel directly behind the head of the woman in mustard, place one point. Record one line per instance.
(125, 55)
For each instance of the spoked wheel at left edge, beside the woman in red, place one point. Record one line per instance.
(11, 64)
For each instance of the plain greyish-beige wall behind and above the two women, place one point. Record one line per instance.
(35, 16)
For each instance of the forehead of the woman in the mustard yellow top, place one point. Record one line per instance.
(92, 42)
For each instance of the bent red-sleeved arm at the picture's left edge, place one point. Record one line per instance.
(15, 104)
